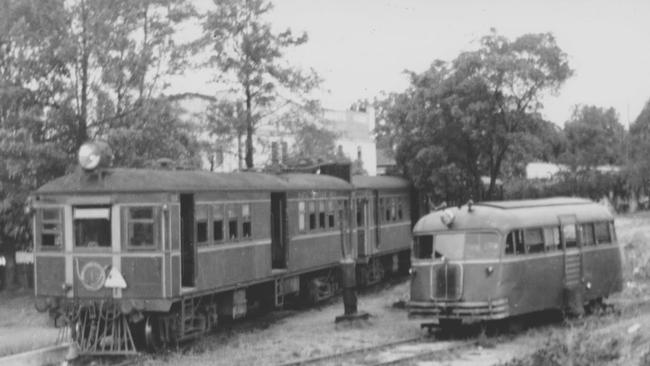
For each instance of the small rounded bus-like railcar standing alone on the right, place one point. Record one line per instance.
(494, 260)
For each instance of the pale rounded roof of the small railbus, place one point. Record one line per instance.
(508, 215)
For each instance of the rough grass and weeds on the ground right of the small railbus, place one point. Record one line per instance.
(621, 338)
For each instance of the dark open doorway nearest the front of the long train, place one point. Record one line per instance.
(188, 247)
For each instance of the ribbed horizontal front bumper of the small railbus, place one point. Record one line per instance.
(470, 311)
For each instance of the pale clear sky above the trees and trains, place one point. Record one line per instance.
(361, 47)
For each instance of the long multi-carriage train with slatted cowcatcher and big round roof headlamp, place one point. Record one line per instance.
(145, 257)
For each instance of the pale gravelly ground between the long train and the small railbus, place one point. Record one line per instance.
(275, 339)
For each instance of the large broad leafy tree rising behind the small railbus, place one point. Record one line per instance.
(465, 117)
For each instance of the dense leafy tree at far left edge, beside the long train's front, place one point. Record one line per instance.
(31, 73)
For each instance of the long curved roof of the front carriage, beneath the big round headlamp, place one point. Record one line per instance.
(151, 180)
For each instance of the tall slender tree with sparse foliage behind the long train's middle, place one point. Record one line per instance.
(249, 54)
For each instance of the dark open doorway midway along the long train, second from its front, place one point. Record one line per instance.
(278, 230)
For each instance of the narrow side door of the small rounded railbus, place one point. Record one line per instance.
(572, 251)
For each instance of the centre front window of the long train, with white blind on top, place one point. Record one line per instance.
(92, 227)
